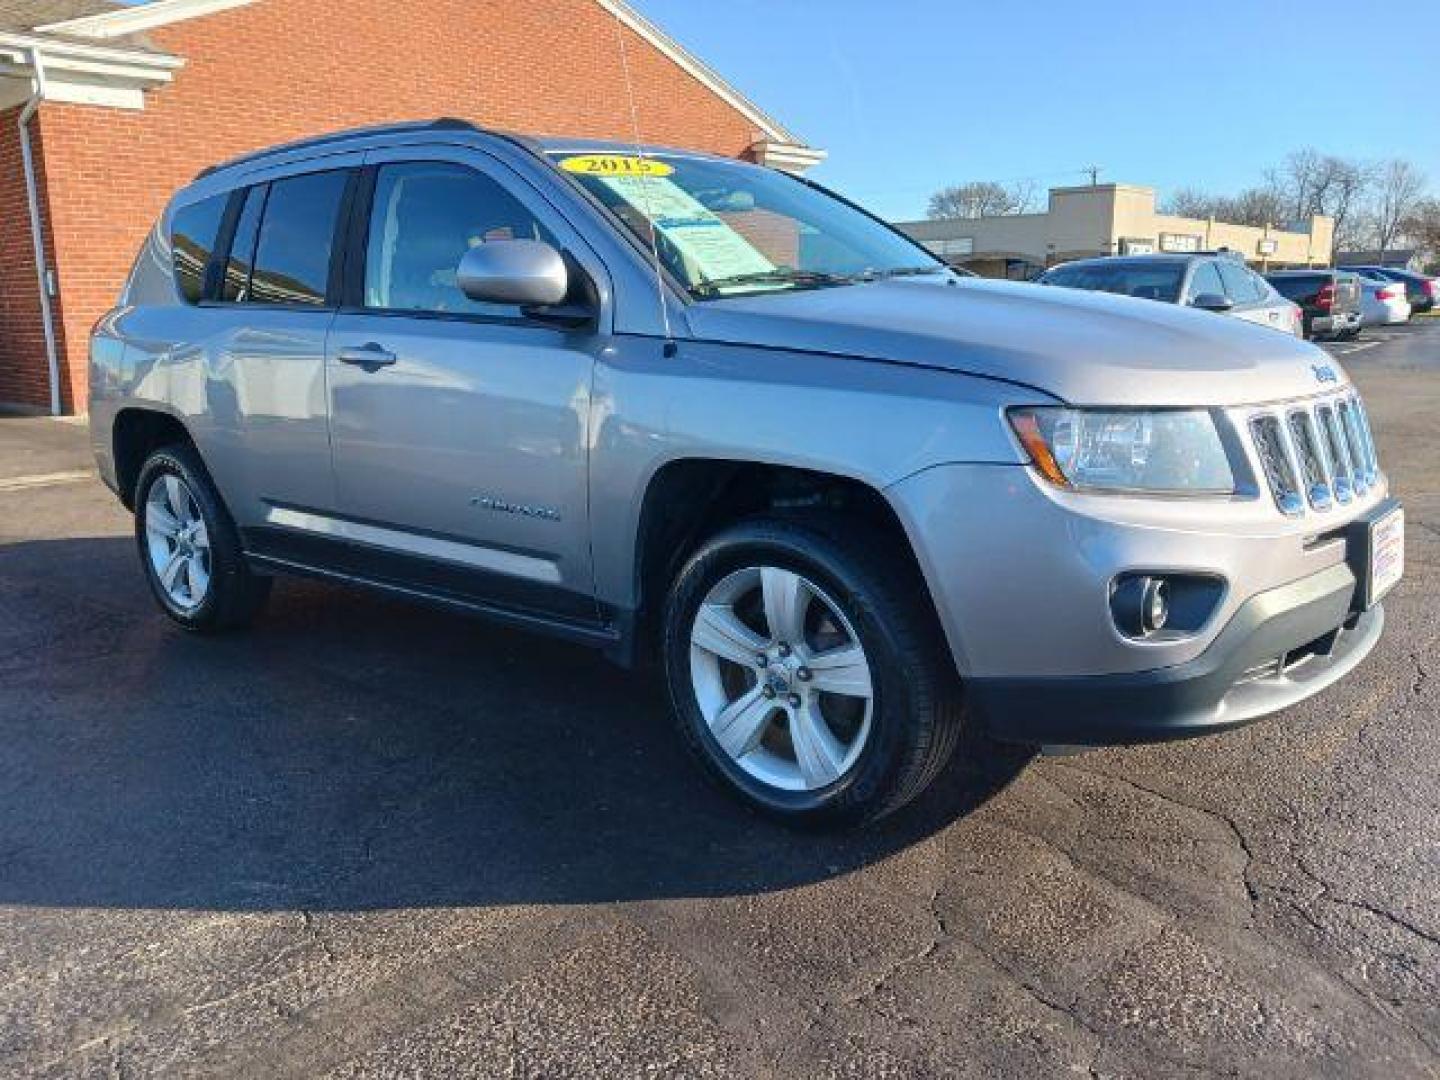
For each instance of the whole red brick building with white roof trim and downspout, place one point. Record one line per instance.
(123, 106)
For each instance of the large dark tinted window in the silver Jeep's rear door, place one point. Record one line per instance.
(296, 241)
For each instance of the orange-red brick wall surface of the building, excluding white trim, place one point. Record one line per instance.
(283, 70)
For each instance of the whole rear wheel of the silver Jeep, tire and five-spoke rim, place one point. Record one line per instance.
(189, 546)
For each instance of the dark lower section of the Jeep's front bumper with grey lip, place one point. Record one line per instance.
(1279, 649)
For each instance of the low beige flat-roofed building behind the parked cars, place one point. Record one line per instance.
(1110, 220)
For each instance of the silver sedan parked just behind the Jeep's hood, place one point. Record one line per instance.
(1203, 280)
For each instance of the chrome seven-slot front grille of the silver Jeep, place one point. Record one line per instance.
(1317, 454)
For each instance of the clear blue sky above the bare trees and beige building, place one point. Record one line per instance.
(909, 96)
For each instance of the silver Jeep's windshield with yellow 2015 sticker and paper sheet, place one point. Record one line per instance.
(726, 228)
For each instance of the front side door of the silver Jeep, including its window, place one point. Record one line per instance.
(459, 430)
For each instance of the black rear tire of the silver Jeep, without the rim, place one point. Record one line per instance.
(235, 594)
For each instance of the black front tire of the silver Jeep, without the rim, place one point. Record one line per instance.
(917, 702)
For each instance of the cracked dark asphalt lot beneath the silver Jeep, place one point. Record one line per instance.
(371, 840)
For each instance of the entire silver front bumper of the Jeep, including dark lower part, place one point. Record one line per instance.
(1022, 577)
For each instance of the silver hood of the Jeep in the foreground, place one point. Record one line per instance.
(1084, 348)
